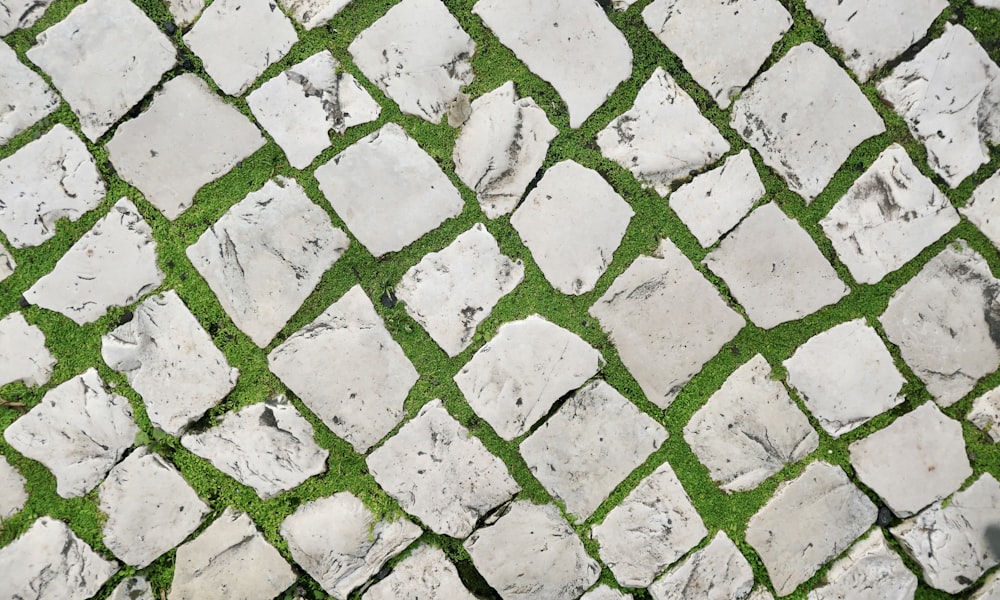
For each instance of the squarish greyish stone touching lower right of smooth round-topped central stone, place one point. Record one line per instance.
(592, 442)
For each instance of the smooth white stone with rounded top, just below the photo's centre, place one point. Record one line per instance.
(515, 378)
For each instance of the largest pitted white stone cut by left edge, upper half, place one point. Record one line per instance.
(48, 179)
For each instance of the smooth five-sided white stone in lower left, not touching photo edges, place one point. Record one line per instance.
(150, 508)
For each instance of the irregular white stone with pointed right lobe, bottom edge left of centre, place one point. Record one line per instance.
(339, 543)
